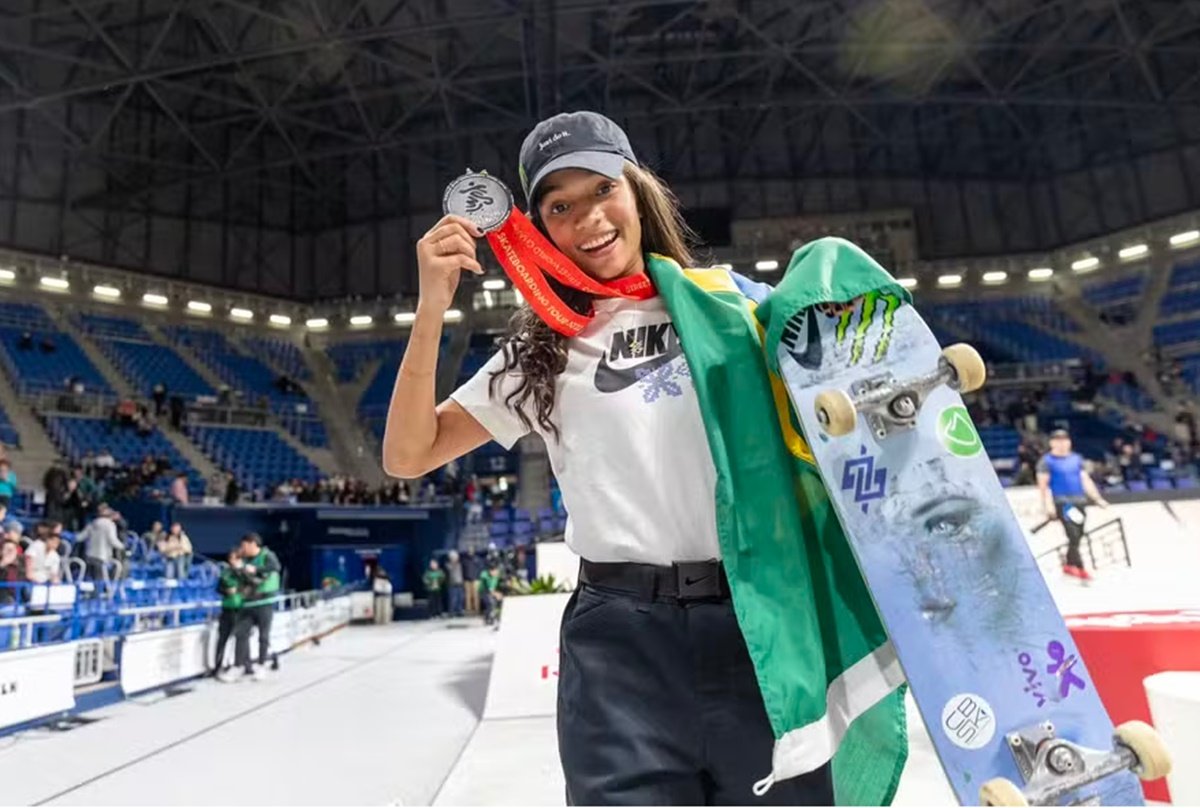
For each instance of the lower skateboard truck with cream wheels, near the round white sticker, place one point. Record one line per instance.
(1053, 768)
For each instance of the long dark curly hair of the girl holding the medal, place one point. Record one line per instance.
(536, 352)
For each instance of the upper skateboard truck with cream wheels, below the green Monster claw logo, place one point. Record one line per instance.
(892, 406)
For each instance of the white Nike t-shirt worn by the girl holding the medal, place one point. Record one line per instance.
(633, 458)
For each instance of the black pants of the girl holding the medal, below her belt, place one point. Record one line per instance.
(659, 704)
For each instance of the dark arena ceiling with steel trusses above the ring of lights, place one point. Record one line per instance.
(302, 117)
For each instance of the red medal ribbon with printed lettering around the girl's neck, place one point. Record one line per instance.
(527, 258)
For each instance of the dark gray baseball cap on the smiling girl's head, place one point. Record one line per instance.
(574, 140)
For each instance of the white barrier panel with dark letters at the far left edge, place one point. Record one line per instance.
(37, 683)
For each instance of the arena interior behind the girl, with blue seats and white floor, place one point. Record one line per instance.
(208, 218)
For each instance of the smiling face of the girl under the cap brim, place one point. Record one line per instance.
(595, 222)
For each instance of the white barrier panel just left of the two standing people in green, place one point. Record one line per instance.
(155, 659)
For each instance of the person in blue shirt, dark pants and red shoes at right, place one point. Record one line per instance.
(1066, 490)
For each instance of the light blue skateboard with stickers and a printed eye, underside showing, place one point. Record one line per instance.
(1003, 690)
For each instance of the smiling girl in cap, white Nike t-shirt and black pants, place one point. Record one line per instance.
(658, 699)
